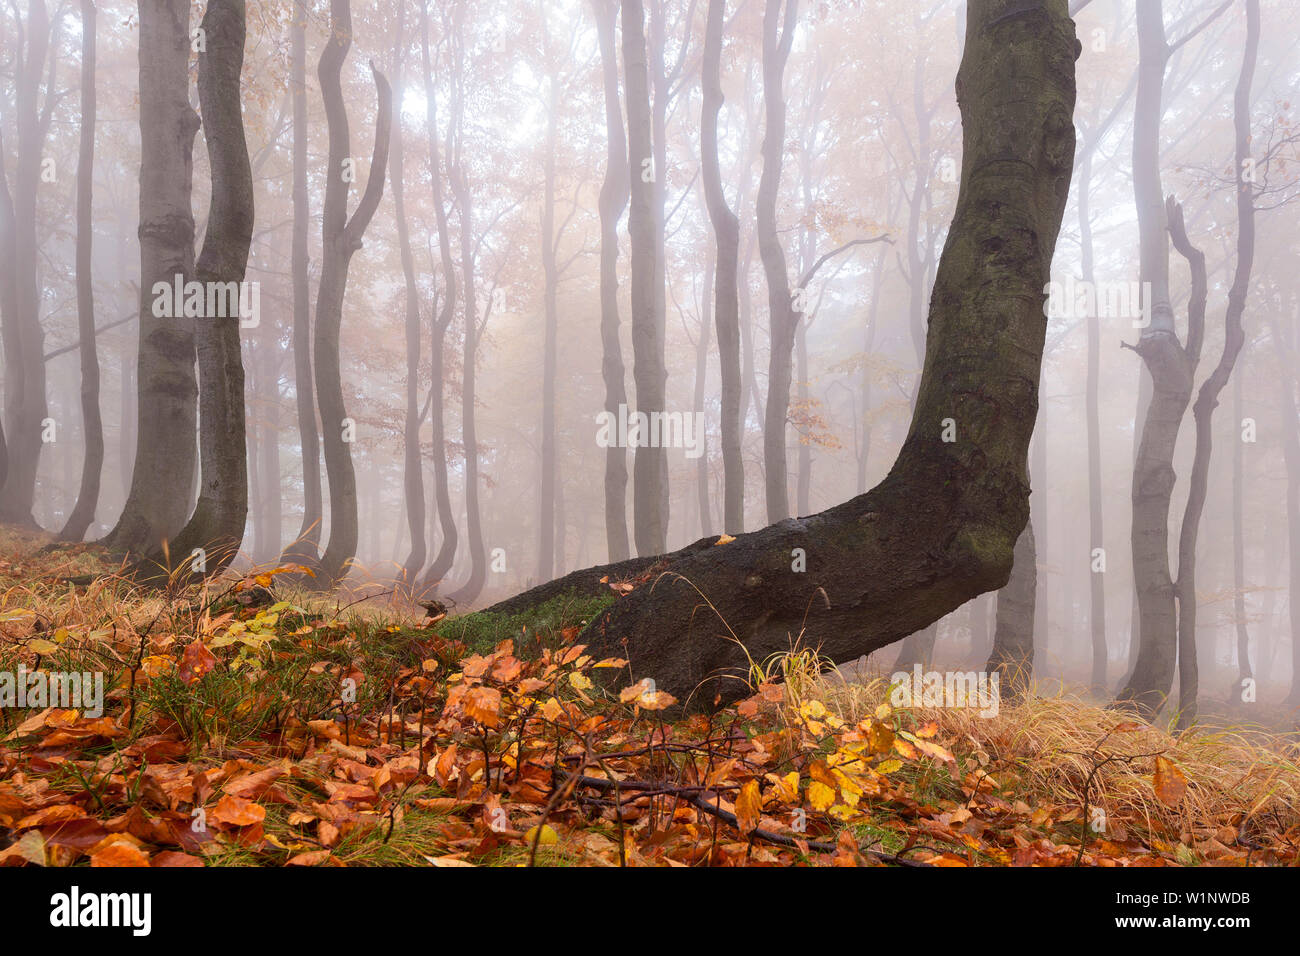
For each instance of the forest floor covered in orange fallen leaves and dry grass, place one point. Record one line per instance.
(245, 724)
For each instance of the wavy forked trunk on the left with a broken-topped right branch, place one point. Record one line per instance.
(341, 237)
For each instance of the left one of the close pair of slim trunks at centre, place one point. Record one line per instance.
(613, 202)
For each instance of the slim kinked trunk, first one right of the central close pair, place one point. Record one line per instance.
(726, 282)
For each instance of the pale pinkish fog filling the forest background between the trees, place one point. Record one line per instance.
(500, 118)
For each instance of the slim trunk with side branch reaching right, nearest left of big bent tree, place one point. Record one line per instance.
(778, 38)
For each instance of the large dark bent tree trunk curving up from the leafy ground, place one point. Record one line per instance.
(942, 527)
